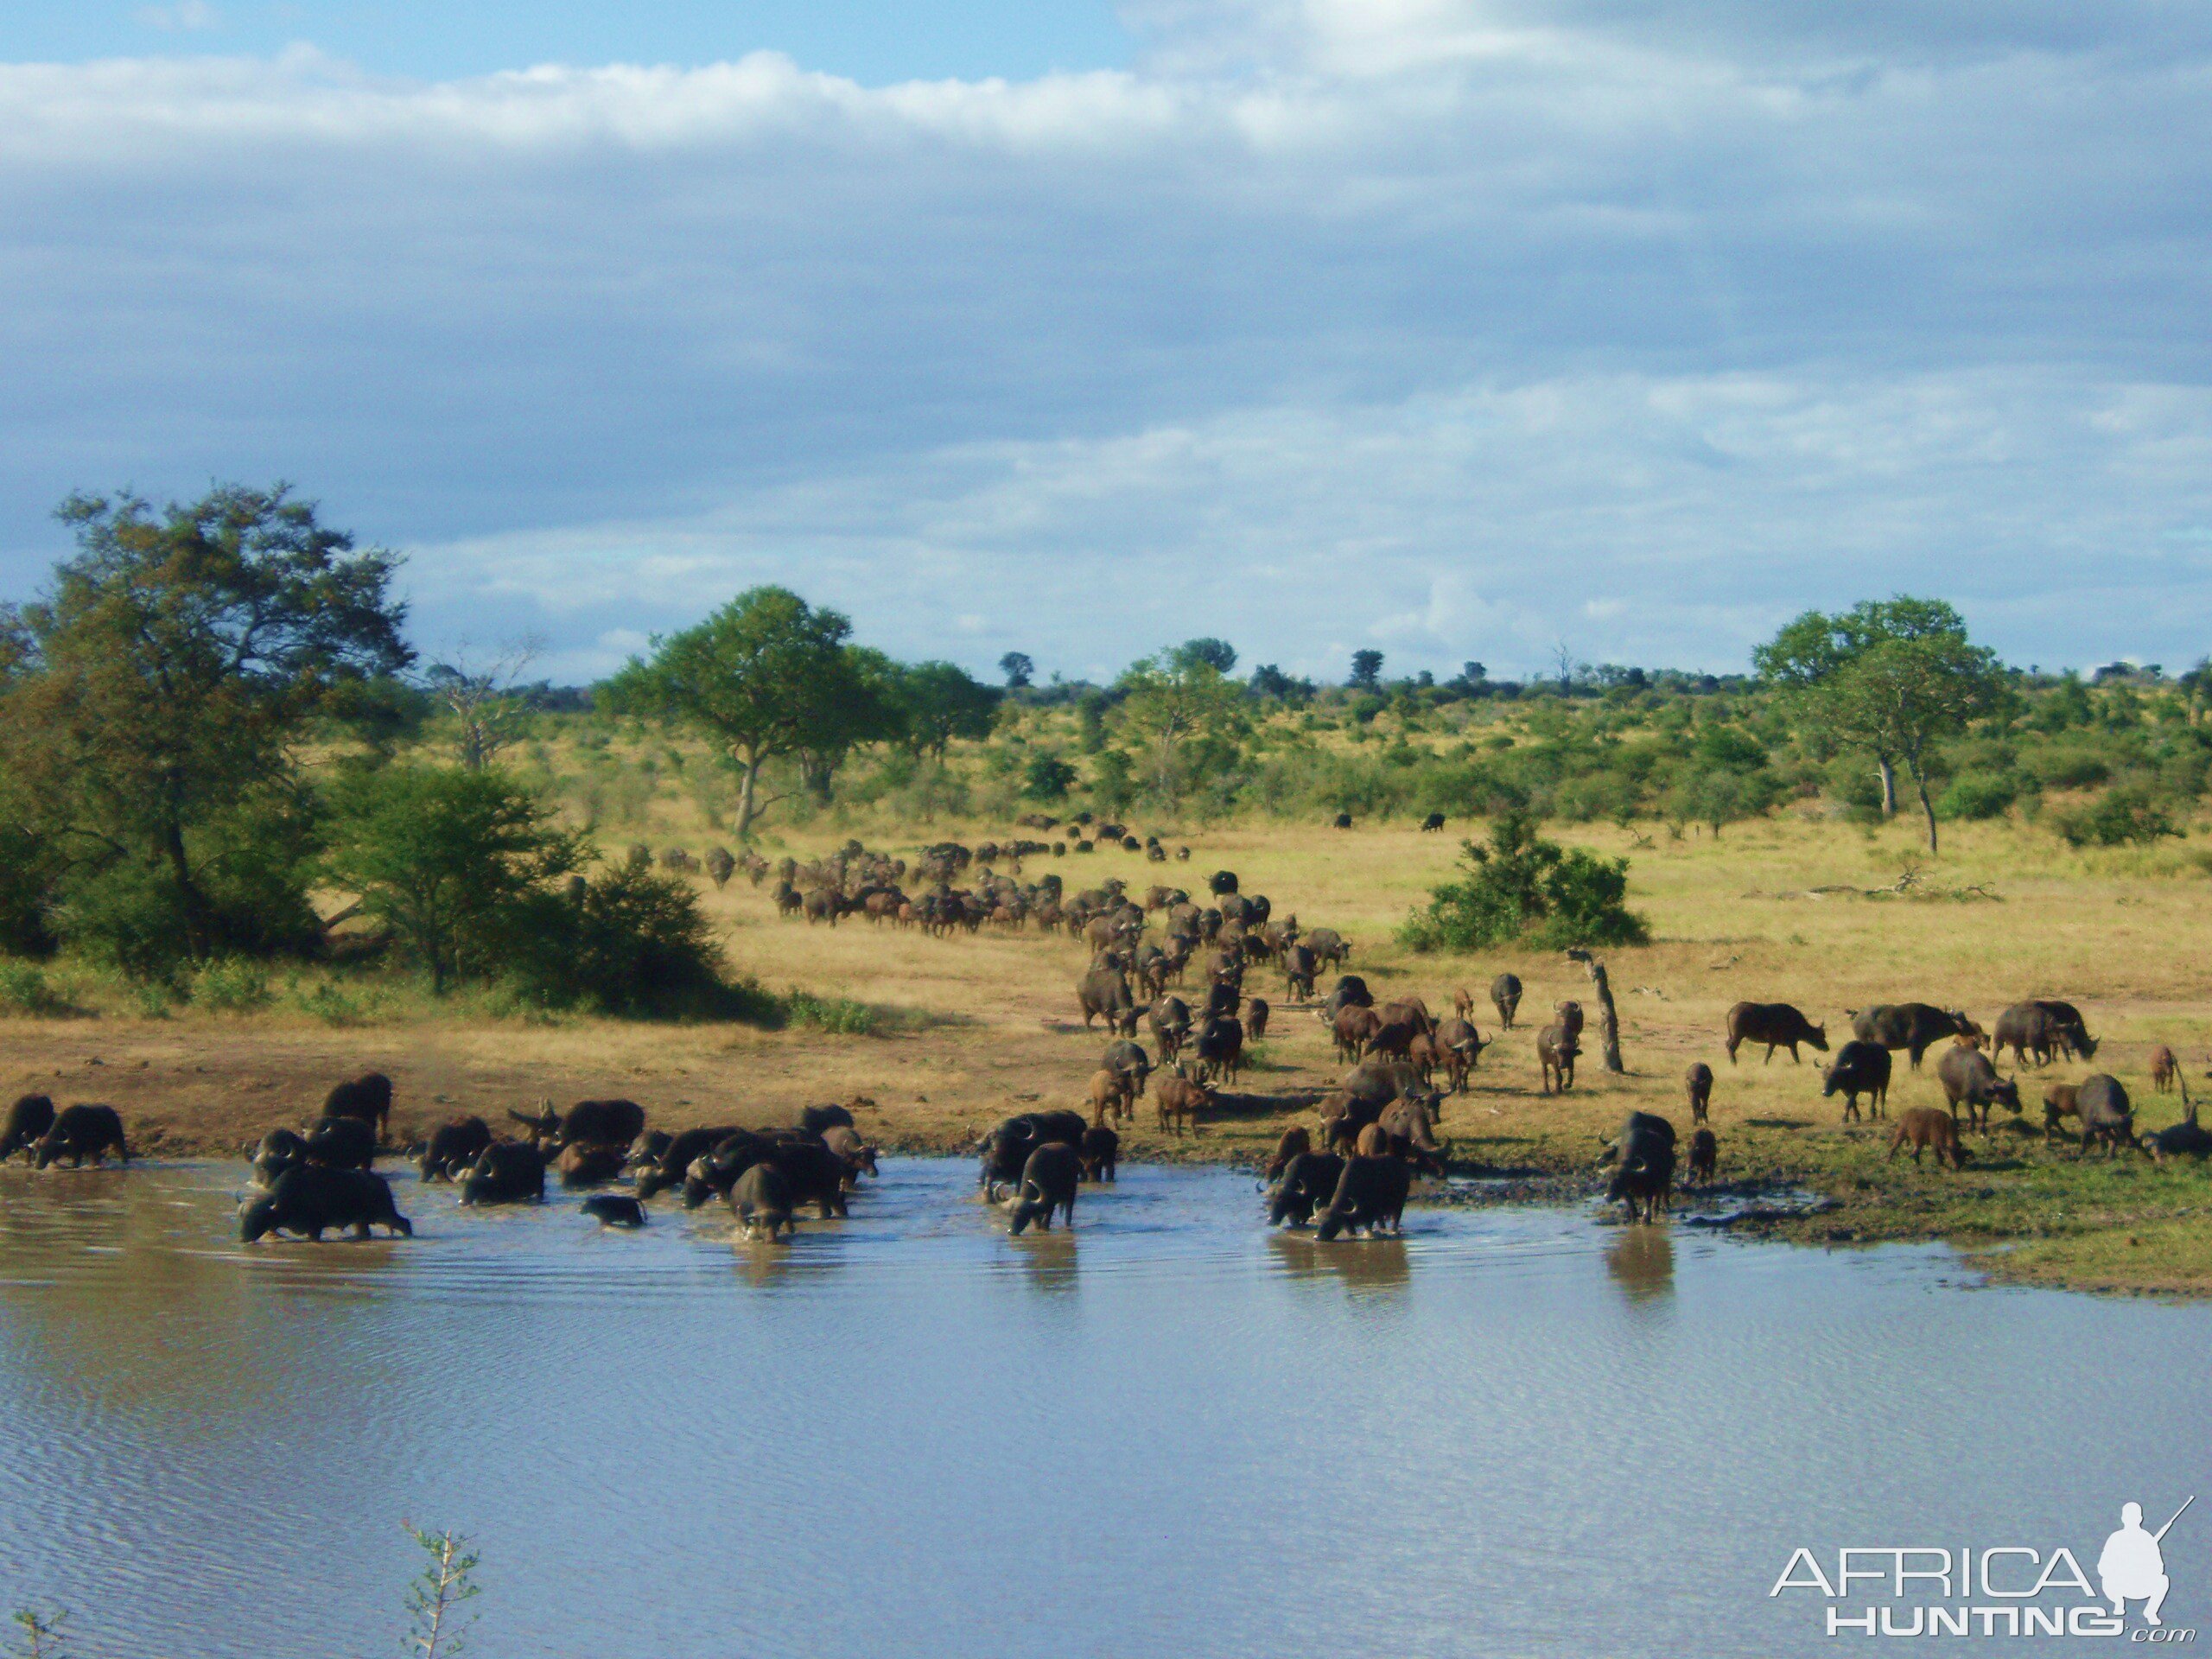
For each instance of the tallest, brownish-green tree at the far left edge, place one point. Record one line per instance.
(163, 685)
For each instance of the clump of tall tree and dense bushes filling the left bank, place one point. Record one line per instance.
(200, 733)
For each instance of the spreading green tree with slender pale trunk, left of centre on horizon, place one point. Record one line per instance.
(766, 678)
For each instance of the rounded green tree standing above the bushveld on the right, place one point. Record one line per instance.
(1890, 678)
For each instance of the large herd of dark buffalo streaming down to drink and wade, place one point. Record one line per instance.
(1176, 968)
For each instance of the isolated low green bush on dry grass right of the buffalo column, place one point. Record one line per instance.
(1525, 890)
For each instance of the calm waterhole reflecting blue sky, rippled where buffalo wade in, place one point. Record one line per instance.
(908, 1434)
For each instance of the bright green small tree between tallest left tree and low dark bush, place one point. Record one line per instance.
(444, 859)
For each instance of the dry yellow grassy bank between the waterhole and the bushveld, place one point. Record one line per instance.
(939, 1039)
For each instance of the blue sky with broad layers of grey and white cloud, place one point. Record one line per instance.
(1461, 328)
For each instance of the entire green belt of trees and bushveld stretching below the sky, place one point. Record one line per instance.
(218, 747)
